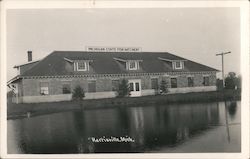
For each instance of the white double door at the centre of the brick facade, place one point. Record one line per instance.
(135, 87)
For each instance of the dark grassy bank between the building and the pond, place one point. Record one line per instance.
(20, 110)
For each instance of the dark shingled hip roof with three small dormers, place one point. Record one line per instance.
(104, 63)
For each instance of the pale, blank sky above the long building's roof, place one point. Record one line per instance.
(193, 33)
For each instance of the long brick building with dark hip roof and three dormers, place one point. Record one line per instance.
(99, 73)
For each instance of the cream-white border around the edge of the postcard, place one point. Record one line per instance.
(244, 7)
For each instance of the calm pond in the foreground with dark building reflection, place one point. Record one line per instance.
(200, 127)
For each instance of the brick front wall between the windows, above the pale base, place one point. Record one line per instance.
(31, 87)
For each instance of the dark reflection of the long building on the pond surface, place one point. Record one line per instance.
(151, 127)
